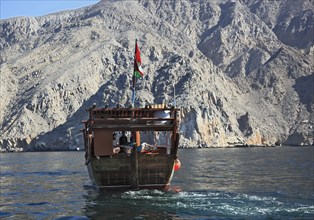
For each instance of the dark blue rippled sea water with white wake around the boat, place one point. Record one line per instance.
(247, 183)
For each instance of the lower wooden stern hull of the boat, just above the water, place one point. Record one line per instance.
(154, 171)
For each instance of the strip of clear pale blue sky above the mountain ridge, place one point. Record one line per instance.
(14, 8)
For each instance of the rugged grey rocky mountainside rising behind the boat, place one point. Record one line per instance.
(242, 70)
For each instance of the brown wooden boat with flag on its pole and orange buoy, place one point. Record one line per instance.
(146, 154)
